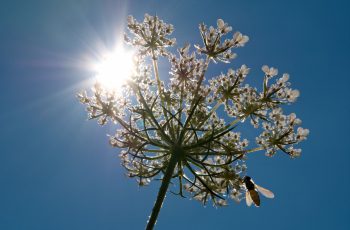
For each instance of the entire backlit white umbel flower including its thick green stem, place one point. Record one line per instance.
(186, 130)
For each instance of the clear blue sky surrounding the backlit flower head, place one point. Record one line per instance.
(57, 170)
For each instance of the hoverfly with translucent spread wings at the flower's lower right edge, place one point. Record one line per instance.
(252, 192)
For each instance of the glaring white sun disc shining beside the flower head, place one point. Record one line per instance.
(115, 68)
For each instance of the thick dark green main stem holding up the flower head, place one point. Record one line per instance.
(162, 191)
